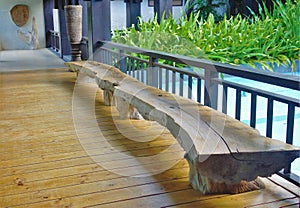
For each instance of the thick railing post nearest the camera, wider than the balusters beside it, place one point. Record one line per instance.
(211, 88)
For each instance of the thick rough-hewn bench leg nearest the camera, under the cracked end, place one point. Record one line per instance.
(207, 186)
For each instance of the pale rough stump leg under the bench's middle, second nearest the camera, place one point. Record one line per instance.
(126, 111)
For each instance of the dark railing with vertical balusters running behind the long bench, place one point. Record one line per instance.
(204, 84)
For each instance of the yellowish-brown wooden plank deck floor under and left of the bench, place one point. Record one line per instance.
(44, 164)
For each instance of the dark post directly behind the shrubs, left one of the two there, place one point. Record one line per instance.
(133, 10)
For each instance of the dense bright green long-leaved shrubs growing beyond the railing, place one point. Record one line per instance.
(272, 37)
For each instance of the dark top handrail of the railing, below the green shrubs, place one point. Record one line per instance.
(282, 80)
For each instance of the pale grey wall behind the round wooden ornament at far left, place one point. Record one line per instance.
(9, 39)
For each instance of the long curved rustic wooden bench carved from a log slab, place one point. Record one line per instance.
(224, 154)
